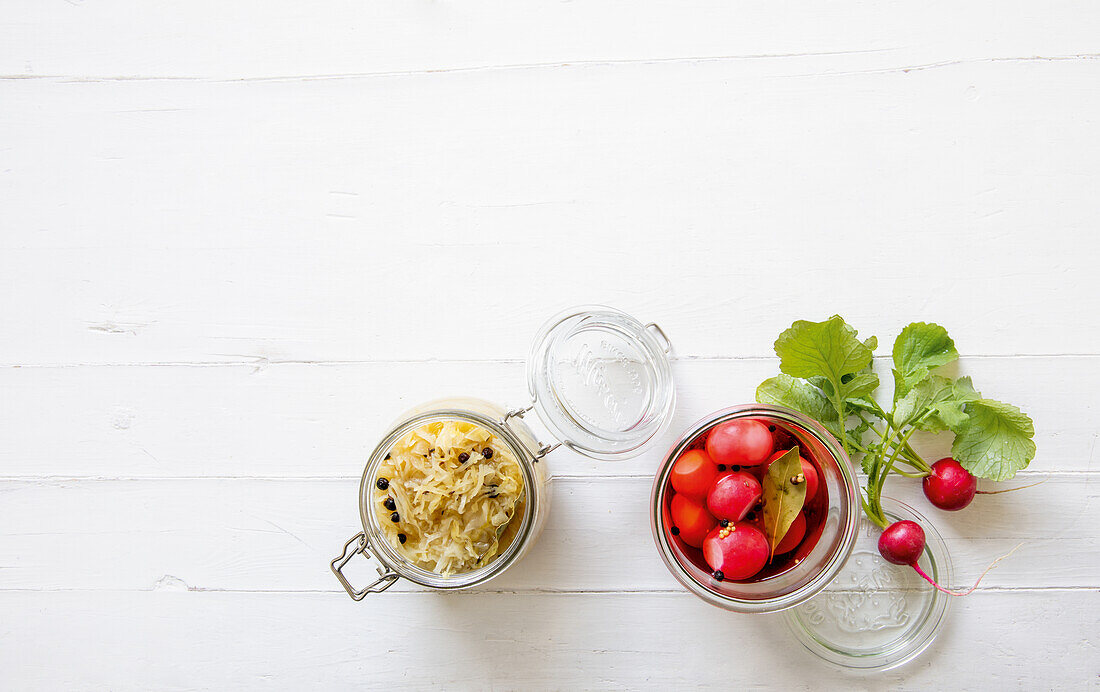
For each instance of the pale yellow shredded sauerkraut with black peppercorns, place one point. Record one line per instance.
(454, 489)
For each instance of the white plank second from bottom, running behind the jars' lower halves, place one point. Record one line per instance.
(281, 535)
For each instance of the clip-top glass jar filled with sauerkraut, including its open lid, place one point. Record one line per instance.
(458, 490)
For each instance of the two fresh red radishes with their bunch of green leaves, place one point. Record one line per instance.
(827, 375)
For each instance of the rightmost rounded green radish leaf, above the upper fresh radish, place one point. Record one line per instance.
(995, 442)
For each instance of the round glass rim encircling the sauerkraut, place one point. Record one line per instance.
(391, 558)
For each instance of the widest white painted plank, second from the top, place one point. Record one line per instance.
(447, 216)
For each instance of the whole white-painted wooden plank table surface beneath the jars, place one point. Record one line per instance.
(239, 238)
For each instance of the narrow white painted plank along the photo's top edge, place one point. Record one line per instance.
(276, 39)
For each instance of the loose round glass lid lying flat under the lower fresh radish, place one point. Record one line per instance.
(876, 616)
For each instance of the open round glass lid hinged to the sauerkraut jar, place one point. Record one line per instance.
(601, 381)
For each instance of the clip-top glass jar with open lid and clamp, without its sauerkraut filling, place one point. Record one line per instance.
(602, 385)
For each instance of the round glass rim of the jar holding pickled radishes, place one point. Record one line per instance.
(831, 568)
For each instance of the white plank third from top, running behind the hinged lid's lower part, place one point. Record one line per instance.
(324, 421)
